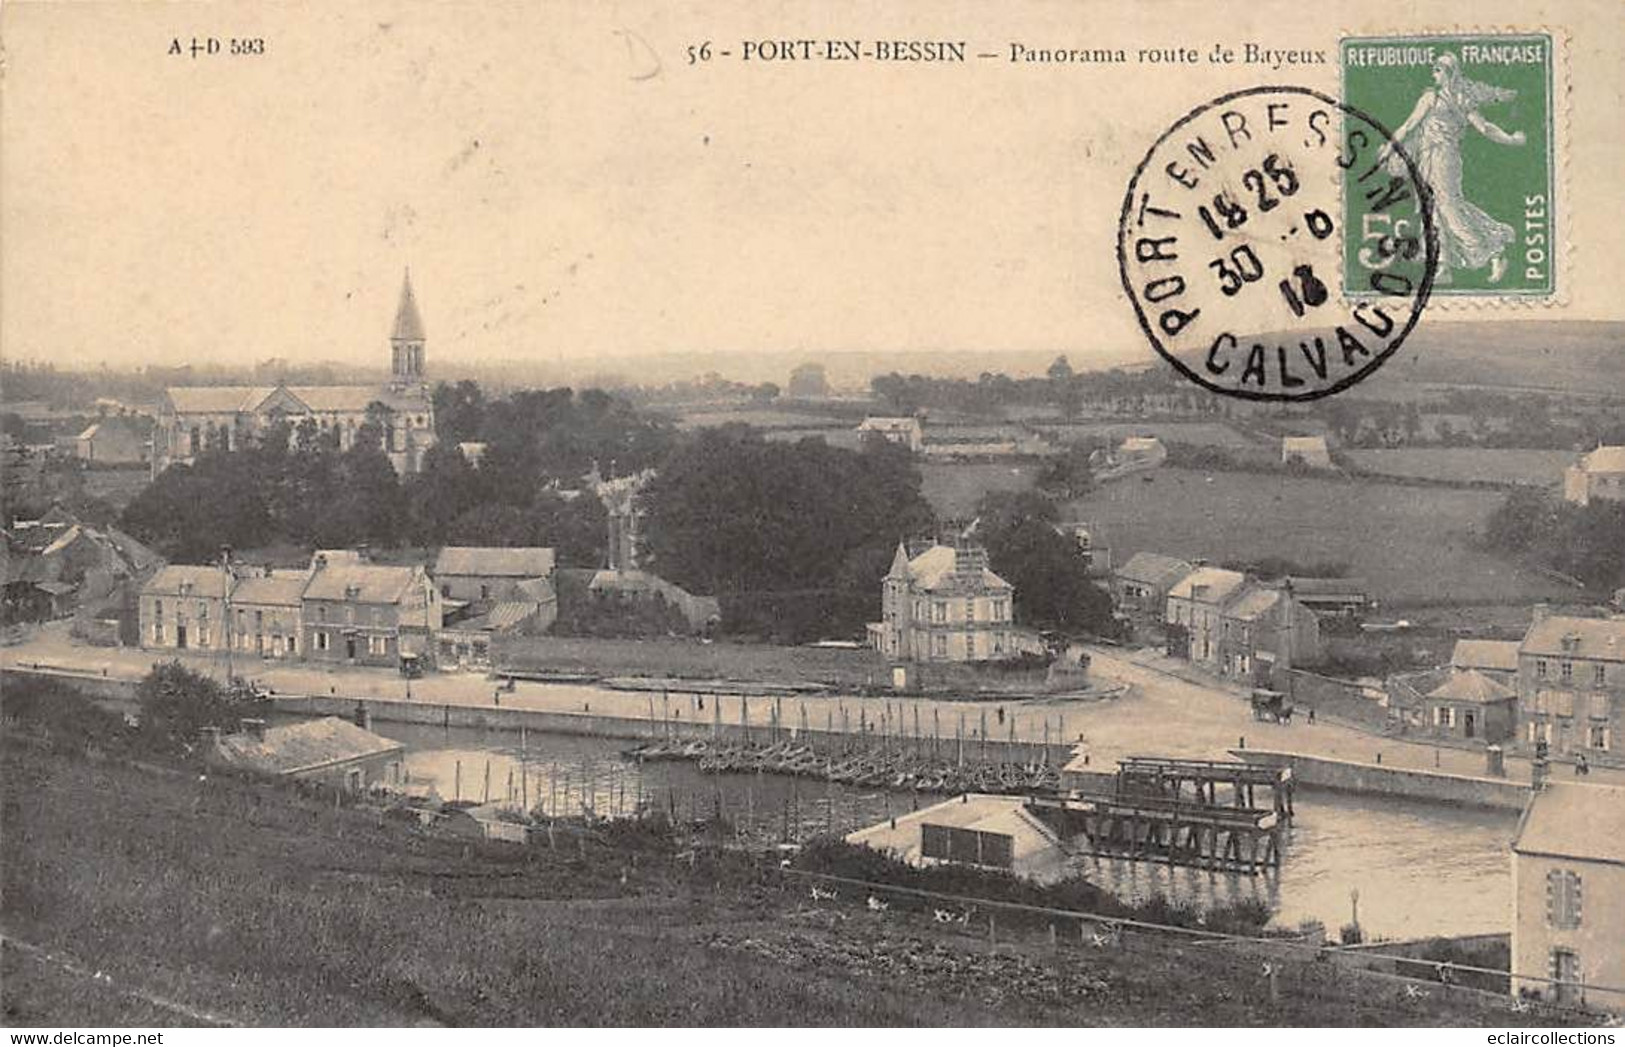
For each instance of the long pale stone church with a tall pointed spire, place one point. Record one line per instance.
(197, 417)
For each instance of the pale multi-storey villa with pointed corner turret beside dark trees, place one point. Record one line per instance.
(945, 606)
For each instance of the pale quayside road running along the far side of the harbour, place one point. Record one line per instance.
(1163, 713)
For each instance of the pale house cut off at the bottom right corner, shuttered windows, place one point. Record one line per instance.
(1569, 897)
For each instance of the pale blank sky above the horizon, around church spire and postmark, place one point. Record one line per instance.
(566, 188)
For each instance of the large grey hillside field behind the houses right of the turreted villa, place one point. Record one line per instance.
(1413, 545)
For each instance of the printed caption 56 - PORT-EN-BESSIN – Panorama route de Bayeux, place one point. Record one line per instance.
(960, 53)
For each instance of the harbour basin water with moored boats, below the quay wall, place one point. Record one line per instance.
(1418, 869)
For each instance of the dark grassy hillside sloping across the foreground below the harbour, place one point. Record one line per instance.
(264, 906)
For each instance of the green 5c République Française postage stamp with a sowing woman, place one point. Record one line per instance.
(1475, 113)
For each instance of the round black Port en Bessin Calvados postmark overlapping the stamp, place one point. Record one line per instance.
(1231, 245)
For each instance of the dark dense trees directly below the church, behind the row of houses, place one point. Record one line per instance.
(297, 487)
